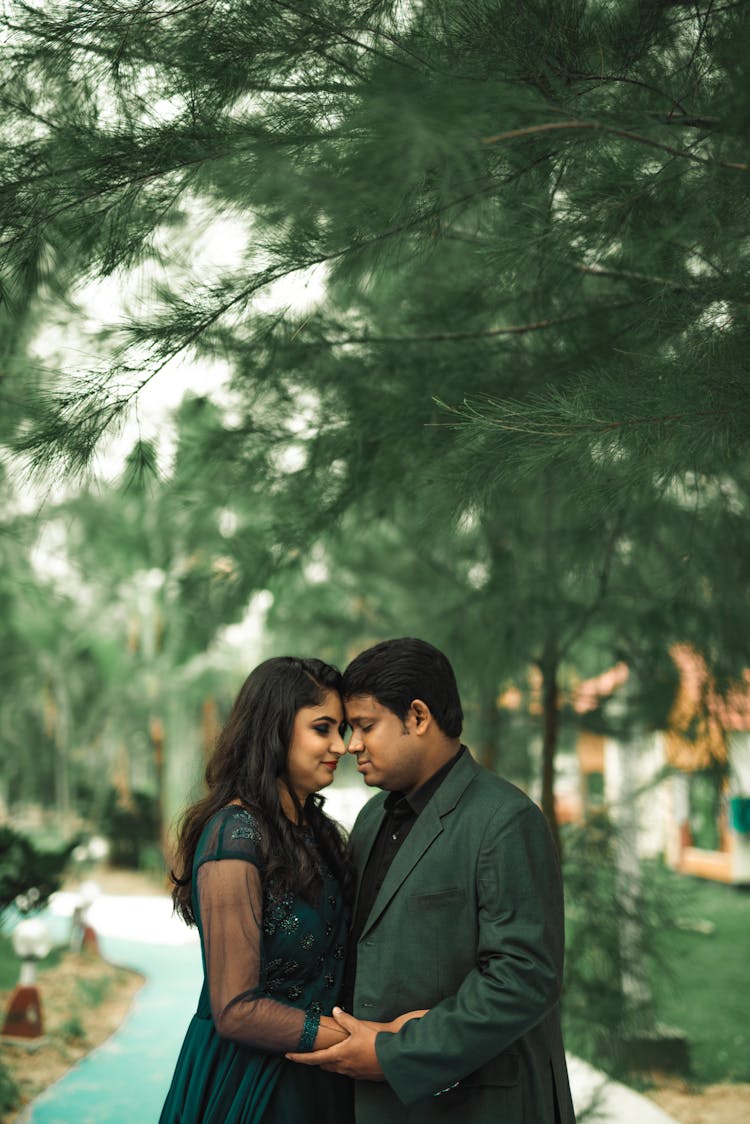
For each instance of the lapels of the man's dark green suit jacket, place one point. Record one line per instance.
(427, 829)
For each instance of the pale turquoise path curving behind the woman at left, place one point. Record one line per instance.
(125, 1081)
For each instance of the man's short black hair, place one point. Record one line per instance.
(399, 672)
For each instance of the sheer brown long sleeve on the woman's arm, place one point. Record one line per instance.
(231, 904)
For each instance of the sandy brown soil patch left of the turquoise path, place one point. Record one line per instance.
(84, 1000)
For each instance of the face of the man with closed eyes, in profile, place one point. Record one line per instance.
(388, 754)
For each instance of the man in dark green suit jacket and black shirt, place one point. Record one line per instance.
(459, 910)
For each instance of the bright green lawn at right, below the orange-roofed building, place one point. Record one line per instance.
(704, 991)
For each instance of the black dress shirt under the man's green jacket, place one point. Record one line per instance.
(401, 814)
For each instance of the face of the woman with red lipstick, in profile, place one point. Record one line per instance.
(317, 746)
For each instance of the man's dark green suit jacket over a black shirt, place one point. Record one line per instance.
(468, 923)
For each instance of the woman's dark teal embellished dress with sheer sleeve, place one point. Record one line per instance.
(273, 966)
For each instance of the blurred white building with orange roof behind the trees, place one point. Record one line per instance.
(689, 785)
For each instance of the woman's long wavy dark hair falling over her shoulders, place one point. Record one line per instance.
(249, 759)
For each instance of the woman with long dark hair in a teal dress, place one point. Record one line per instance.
(261, 872)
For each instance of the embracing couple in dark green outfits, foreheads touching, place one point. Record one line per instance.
(406, 976)
